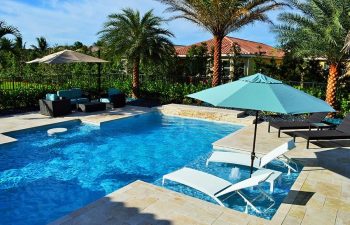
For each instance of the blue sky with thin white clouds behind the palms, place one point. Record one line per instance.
(67, 21)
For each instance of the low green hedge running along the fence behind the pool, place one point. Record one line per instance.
(159, 90)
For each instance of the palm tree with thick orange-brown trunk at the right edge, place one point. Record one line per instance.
(318, 30)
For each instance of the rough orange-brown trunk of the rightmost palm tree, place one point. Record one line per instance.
(332, 84)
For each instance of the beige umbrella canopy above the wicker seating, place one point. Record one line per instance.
(67, 56)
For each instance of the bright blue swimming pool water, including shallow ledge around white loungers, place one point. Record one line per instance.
(45, 177)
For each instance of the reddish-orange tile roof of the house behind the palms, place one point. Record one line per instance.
(247, 47)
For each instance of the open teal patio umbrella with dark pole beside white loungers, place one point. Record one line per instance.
(262, 93)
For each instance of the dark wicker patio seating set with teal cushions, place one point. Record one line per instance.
(65, 101)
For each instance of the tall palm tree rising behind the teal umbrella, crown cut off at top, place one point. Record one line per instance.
(221, 18)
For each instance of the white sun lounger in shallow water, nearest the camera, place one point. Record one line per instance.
(215, 187)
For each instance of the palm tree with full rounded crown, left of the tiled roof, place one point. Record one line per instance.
(140, 39)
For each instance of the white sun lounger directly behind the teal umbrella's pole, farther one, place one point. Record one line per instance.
(244, 159)
